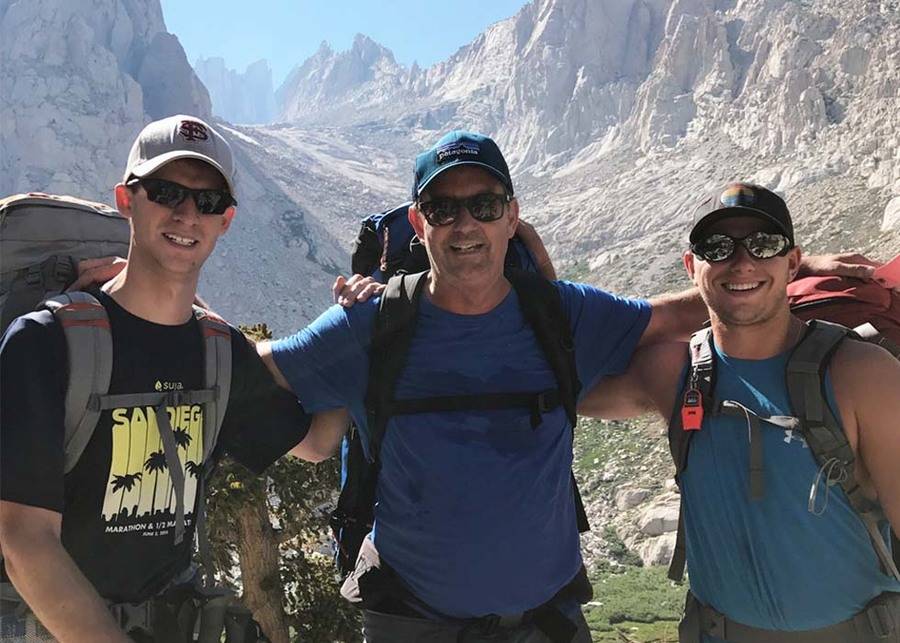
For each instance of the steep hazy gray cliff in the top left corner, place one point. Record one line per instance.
(77, 78)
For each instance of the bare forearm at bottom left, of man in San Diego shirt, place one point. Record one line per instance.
(49, 580)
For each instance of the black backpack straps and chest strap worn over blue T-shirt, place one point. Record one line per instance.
(542, 308)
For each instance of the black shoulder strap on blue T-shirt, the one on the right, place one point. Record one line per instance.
(543, 309)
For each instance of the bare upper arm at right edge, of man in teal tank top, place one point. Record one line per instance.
(867, 380)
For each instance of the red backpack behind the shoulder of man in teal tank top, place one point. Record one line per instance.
(849, 302)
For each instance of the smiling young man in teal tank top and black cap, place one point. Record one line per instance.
(766, 563)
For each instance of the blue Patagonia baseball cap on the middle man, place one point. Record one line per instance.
(460, 148)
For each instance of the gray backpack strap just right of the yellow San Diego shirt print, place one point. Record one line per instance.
(217, 374)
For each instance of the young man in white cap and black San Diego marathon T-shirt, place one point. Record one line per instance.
(104, 532)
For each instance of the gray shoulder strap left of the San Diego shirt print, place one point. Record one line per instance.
(85, 325)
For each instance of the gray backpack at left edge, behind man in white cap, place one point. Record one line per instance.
(42, 238)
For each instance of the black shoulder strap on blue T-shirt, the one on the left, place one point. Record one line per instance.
(391, 338)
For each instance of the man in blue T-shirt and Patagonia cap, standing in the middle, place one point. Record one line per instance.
(475, 510)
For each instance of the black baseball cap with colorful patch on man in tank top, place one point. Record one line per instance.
(742, 199)
